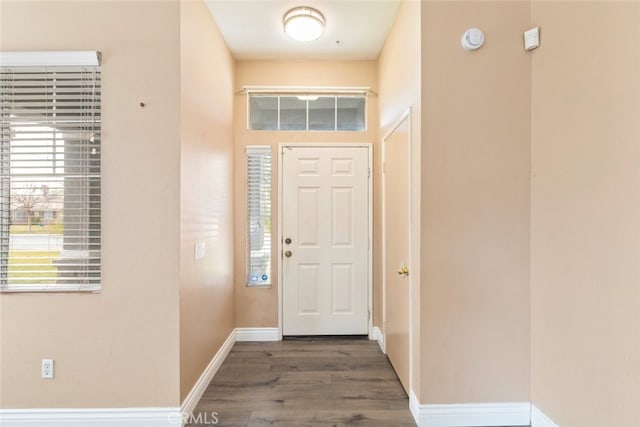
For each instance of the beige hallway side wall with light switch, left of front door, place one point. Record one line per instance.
(206, 118)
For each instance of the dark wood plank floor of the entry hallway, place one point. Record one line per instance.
(317, 382)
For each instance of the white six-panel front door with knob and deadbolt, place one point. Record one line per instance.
(325, 240)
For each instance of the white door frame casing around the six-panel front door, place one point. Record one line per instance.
(369, 147)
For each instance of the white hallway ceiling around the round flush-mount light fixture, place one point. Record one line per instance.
(355, 29)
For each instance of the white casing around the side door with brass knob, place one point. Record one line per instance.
(406, 115)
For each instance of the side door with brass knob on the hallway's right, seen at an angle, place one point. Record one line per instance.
(396, 249)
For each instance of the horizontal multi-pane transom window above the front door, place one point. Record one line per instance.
(321, 112)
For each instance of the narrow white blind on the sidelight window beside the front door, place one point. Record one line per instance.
(258, 216)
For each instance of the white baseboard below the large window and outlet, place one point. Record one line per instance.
(110, 417)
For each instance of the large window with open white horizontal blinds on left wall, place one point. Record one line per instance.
(50, 198)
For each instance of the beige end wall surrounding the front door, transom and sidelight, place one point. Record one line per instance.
(258, 307)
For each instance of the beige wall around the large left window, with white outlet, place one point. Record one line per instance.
(119, 347)
